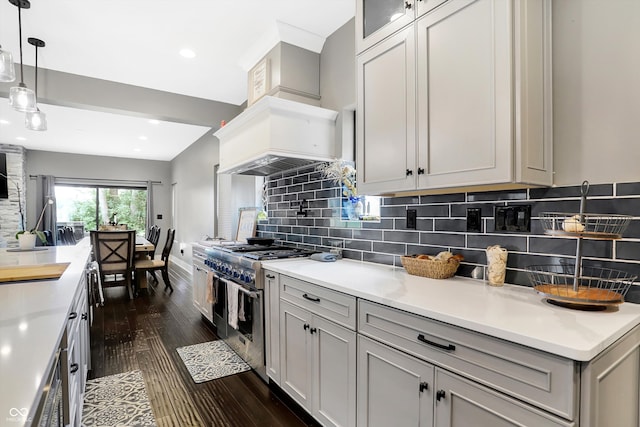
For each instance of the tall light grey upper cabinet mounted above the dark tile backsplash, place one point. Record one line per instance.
(459, 97)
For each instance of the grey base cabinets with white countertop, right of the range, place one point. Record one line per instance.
(477, 354)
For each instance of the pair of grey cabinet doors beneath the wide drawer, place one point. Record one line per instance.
(401, 390)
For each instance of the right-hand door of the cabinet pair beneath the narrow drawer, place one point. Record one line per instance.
(334, 373)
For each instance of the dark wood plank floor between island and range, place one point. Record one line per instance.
(144, 334)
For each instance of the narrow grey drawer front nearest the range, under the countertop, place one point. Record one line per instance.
(333, 305)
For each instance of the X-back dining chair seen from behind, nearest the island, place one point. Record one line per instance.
(114, 253)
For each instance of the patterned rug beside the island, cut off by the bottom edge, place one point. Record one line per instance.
(117, 400)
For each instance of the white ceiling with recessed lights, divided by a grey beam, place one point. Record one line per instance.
(138, 43)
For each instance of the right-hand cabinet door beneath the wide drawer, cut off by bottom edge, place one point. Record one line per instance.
(462, 403)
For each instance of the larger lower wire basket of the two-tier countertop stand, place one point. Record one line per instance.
(594, 286)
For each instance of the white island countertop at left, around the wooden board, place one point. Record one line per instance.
(33, 315)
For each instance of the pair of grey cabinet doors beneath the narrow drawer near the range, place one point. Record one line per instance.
(318, 365)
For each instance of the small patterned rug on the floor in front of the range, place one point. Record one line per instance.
(211, 360)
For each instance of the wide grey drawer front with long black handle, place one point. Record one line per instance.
(545, 380)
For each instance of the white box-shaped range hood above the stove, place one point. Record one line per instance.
(274, 135)
